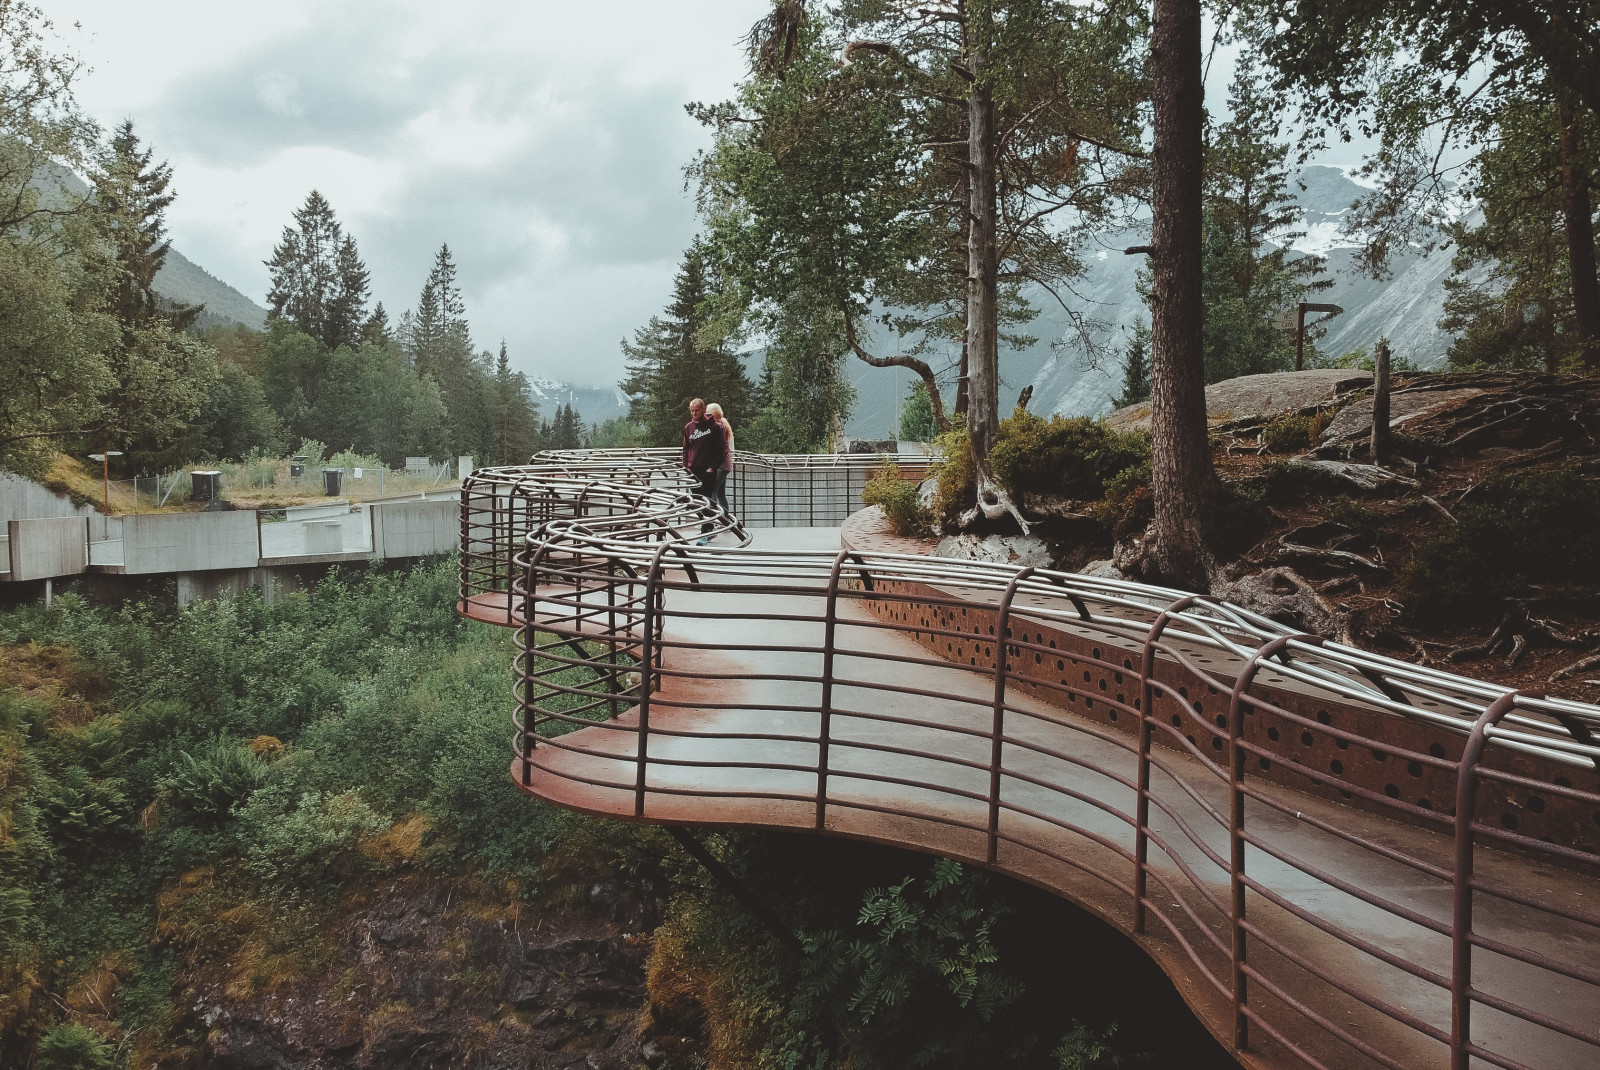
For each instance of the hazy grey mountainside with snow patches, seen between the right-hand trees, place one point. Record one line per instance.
(1404, 308)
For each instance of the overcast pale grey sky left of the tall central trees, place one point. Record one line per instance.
(543, 142)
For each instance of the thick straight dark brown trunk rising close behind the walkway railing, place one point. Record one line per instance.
(1182, 474)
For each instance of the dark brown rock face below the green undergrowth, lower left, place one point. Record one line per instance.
(426, 978)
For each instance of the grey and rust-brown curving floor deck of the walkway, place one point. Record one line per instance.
(1306, 928)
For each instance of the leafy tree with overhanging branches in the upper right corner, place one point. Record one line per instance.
(1433, 81)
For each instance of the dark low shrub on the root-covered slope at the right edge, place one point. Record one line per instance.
(1514, 532)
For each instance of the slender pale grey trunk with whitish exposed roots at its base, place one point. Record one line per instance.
(983, 314)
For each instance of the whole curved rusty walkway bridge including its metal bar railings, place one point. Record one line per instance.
(1338, 858)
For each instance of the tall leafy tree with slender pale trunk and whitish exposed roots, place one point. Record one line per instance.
(929, 158)
